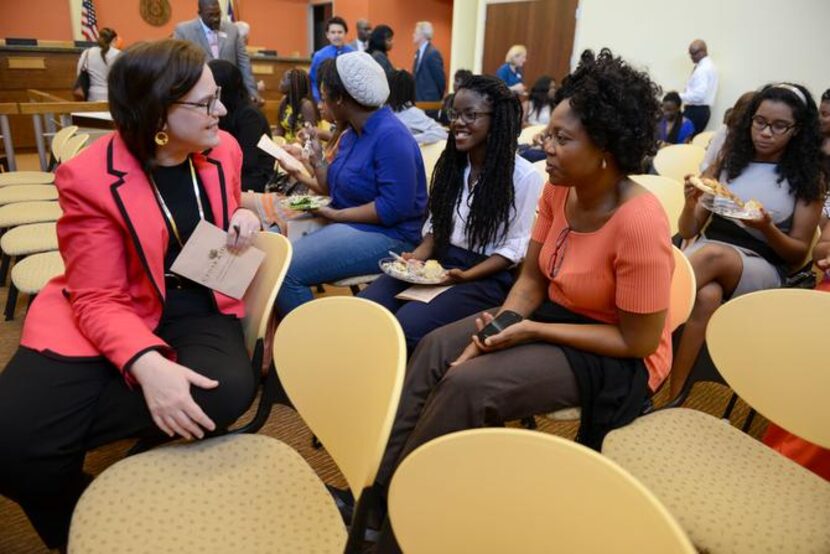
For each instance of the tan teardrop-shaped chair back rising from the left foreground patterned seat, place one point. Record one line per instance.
(341, 361)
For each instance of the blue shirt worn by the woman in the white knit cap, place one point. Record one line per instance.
(382, 165)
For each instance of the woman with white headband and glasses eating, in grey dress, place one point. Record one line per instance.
(773, 156)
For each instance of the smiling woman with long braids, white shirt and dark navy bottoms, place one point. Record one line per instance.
(481, 210)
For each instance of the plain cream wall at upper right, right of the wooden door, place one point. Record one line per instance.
(752, 42)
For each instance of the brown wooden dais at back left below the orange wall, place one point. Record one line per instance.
(51, 69)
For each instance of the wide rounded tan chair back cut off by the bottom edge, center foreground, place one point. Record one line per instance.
(510, 490)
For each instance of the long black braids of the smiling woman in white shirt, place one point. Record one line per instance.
(492, 198)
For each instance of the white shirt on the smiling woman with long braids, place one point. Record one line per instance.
(527, 185)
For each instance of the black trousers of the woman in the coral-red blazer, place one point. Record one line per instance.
(53, 410)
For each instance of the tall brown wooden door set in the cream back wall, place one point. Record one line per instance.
(545, 27)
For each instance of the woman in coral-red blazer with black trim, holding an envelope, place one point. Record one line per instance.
(119, 346)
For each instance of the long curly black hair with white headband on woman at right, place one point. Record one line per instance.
(800, 163)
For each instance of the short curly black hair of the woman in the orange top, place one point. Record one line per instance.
(618, 105)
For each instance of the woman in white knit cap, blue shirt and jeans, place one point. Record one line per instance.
(376, 182)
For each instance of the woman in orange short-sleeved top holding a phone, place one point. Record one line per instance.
(585, 323)
